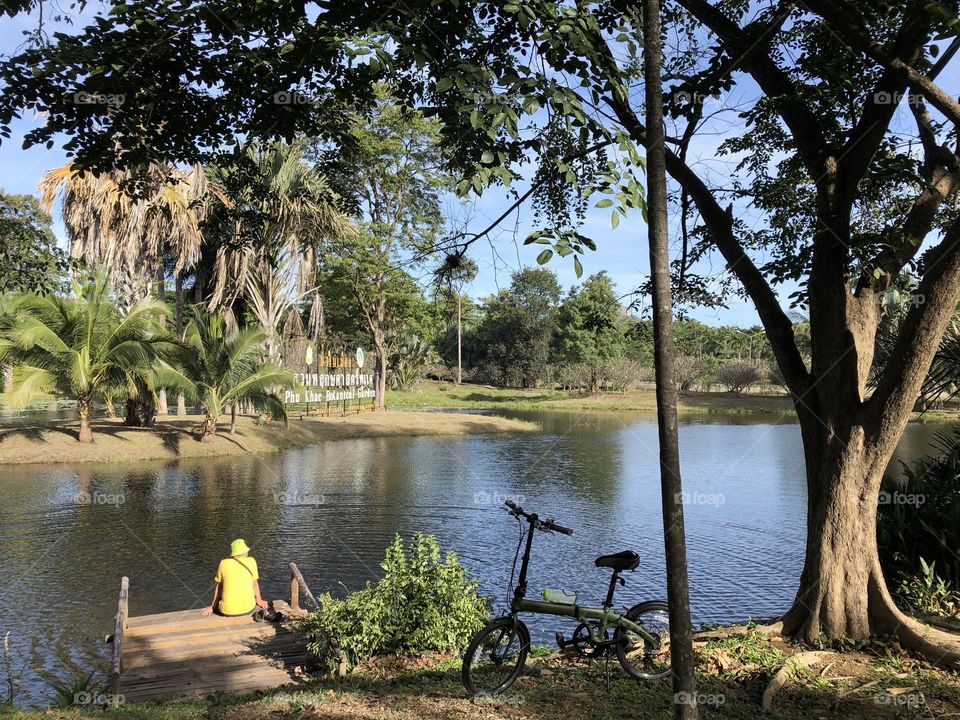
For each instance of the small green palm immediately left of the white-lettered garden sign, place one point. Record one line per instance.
(225, 369)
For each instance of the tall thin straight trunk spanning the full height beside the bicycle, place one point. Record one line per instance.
(664, 352)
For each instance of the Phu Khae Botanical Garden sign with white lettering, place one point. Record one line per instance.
(328, 379)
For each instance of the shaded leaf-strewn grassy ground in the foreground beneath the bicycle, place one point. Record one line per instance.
(734, 672)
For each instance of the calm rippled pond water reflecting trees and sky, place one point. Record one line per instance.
(167, 525)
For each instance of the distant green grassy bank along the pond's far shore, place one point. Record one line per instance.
(448, 395)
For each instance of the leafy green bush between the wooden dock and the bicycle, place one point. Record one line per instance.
(423, 603)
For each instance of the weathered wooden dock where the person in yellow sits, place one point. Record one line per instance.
(183, 654)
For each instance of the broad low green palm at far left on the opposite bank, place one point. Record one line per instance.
(83, 346)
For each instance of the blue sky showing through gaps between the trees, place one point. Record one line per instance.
(621, 252)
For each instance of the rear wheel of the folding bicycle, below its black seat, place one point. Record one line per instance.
(646, 656)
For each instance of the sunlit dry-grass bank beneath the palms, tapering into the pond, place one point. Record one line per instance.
(177, 437)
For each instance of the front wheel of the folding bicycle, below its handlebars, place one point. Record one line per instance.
(495, 657)
